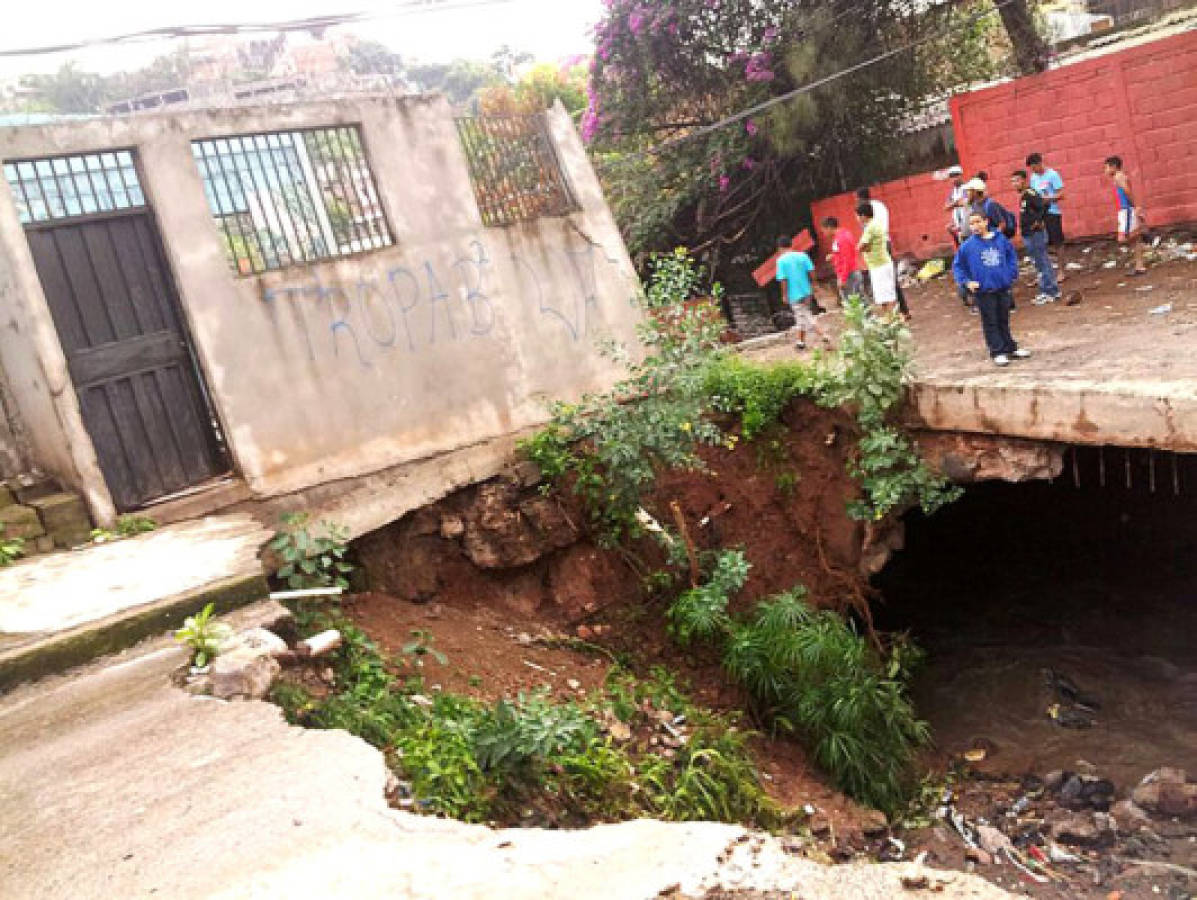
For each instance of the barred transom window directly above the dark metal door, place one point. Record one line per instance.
(72, 186)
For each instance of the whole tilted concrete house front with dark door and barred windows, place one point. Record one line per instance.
(260, 301)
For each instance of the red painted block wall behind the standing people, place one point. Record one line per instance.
(1139, 104)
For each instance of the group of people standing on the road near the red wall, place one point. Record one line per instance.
(986, 265)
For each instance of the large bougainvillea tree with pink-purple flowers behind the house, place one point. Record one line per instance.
(664, 70)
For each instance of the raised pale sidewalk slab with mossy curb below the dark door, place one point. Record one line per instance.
(66, 609)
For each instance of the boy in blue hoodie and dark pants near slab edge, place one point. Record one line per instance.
(988, 266)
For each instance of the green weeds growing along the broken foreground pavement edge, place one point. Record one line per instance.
(493, 763)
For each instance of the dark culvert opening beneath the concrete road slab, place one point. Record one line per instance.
(1019, 593)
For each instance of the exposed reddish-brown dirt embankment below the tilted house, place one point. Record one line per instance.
(505, 579)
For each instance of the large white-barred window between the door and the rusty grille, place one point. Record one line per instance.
(287, 198)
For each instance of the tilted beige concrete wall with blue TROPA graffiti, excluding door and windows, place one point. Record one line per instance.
(457, 335)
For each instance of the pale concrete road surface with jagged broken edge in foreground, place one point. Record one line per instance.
(119, 785)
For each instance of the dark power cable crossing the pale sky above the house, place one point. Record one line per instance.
(317, 23)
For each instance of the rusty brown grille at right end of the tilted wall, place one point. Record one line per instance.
(515, 169)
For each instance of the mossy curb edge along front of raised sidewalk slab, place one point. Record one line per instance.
(58, 653)
